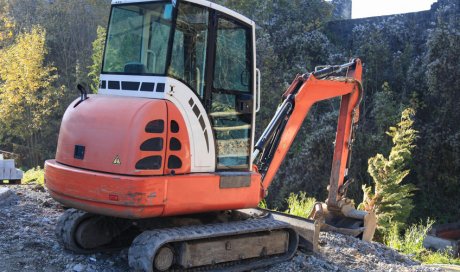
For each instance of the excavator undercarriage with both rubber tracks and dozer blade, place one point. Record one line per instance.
(238, 240)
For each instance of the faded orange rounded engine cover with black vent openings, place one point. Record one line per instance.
(111, 127)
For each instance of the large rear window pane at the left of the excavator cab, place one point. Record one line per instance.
(138, 38)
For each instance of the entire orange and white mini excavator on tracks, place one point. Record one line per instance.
(163, 159)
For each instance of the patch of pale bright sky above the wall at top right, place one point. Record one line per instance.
(369, 8)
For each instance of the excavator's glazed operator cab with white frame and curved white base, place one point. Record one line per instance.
(199, 57)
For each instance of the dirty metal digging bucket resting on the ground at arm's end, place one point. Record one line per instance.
(345, 219)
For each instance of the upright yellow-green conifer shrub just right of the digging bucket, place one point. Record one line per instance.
(389, 198)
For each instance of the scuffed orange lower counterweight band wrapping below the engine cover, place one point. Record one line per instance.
(144, 197)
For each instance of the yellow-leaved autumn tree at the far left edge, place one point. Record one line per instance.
(28, 98)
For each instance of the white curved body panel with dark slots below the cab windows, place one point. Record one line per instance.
(202, 146)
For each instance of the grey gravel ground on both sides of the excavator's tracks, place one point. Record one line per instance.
(27, 243)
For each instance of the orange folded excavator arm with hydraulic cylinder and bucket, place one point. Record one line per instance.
(272, 147)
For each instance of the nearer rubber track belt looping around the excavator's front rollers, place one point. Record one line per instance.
(145, 246)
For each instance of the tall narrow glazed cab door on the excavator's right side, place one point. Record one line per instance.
(230, 96)
